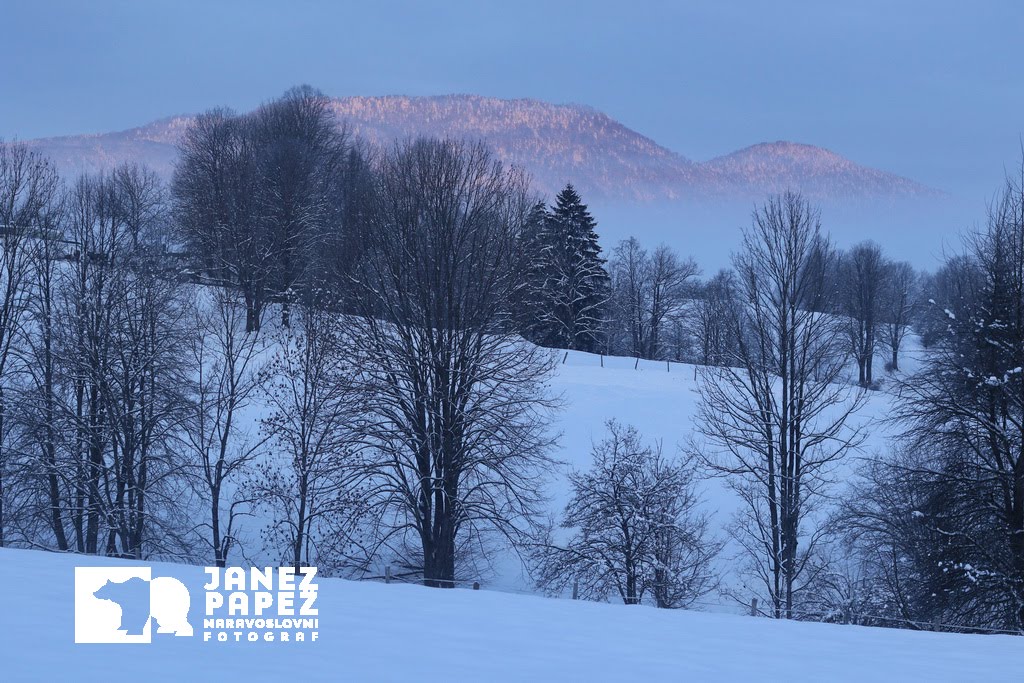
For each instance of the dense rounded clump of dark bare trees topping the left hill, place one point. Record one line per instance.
(264, 198)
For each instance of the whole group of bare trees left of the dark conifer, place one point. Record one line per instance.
(151, 410)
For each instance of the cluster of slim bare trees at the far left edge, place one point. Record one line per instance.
(94, 330)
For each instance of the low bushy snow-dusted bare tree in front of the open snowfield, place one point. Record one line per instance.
(636, 529)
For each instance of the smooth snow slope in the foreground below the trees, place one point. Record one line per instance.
(374, 632)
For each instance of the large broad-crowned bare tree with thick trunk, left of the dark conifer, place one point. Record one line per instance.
(454, 404)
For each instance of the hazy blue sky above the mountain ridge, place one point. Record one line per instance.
(933, 91)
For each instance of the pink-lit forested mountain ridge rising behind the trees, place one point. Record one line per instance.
(557, 144)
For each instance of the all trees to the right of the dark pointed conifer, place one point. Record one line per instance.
(927, 533)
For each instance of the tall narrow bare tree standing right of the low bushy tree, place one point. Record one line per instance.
(775, 423)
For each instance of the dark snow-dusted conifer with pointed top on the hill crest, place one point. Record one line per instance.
(570, 283)
